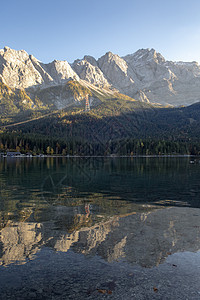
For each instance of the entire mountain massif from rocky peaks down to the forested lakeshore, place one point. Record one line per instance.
(139, 96)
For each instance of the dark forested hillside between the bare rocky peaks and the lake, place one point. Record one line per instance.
(116, 126)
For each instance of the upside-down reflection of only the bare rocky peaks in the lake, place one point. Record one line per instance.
(139, 238)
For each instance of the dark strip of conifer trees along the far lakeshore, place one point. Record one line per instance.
(39, 144)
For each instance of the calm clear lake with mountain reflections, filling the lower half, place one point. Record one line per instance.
(95, 228)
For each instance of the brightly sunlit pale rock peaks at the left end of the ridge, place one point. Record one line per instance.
(21, 70)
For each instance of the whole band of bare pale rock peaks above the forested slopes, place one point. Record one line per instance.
(144, 75)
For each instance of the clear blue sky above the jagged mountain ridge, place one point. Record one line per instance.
(67, 30)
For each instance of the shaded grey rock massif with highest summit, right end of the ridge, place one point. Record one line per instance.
(162, 81)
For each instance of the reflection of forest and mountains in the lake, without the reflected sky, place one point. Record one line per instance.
(114, 208)
